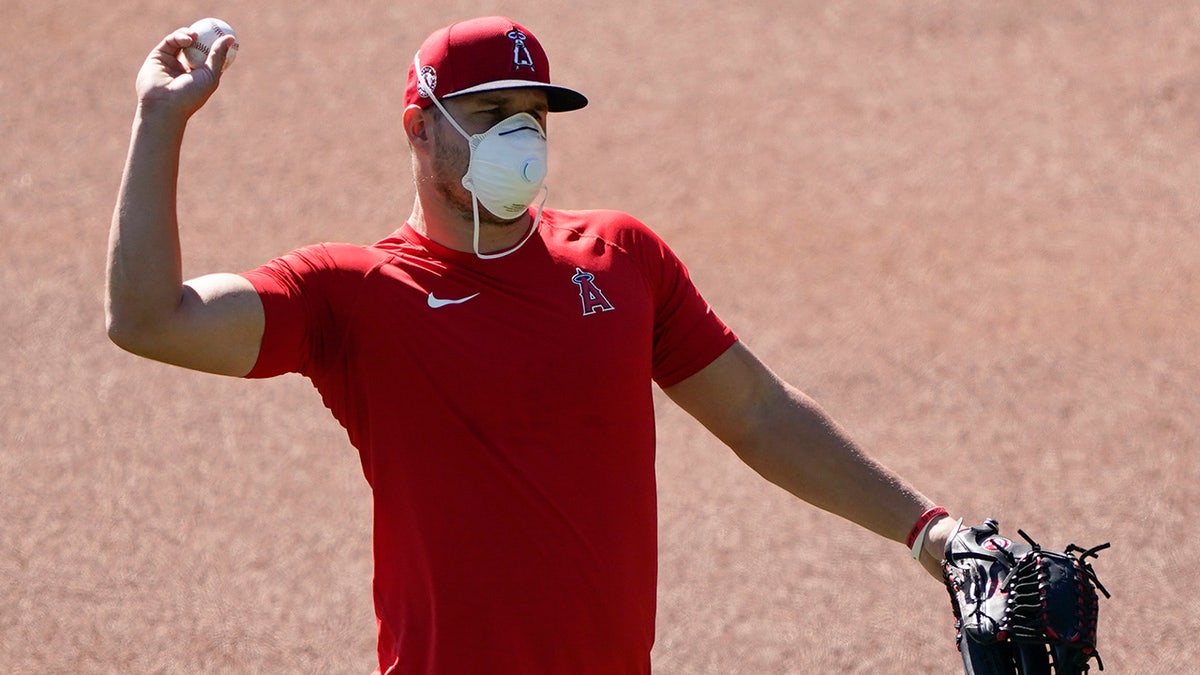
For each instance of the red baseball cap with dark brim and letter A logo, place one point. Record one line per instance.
(482, 56)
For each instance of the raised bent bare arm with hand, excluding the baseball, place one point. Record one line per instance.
(212, 324)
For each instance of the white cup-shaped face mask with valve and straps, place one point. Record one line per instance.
(507, 169)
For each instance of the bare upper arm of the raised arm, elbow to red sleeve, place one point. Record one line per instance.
(217, 328)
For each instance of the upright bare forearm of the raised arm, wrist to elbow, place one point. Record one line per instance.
(145, 264)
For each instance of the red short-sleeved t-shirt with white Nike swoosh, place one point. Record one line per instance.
(503, 413)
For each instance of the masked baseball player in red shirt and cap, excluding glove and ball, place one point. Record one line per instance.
(493, 361)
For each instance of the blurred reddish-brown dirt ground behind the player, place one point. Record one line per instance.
(968, 229)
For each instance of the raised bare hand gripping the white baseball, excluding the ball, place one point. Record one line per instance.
(167, 87)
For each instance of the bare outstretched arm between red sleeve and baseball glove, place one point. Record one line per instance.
(788, 439)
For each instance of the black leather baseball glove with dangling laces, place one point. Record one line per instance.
(1018, 608)
